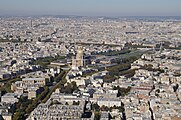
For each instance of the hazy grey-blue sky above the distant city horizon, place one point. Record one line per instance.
(91, 7)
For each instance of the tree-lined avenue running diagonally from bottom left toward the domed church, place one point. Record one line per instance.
(25, 106)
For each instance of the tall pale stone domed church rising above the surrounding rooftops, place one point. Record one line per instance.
(78, 60)
